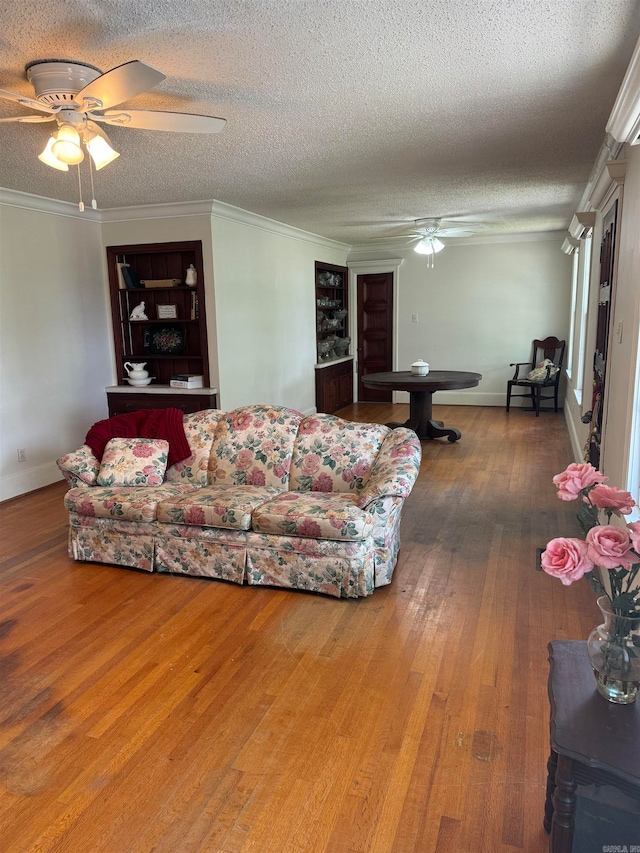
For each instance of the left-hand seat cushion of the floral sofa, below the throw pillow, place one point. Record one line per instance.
(133, 503)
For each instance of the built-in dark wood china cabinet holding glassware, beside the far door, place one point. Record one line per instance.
(334, 364)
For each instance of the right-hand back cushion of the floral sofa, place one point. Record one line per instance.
(334, 455)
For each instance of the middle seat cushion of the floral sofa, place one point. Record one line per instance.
(216, 506)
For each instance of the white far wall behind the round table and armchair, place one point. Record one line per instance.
(479, 308)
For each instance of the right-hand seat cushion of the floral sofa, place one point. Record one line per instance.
(313, 515)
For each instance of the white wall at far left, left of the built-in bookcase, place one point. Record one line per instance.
(55, 350)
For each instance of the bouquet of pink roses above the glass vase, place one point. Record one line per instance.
(609, 555)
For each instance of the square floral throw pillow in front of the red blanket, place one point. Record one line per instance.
(133, 462)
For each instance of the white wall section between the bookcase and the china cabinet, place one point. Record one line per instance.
(266, 305)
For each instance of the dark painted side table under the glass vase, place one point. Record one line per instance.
(593, 784)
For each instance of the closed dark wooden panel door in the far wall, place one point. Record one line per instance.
(375, 331)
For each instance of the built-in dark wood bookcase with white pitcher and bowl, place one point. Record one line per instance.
(172, 338)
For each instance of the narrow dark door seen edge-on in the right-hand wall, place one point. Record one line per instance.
(607, 258)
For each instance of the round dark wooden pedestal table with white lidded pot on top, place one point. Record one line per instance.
(421, 390)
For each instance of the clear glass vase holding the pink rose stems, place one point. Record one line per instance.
(614, 651)
